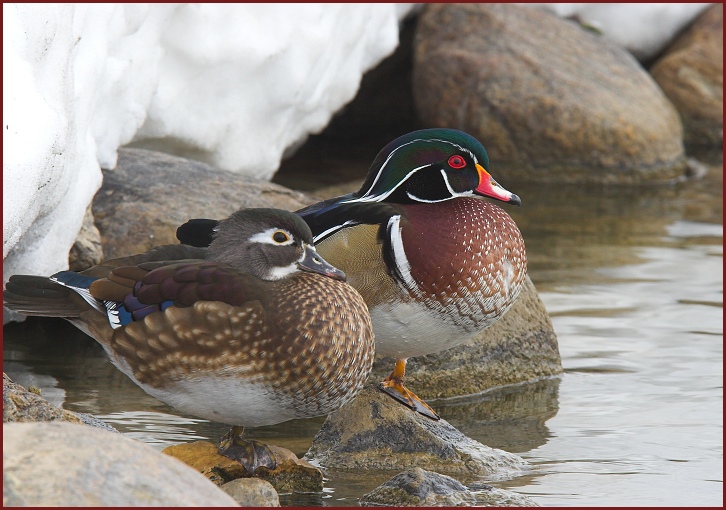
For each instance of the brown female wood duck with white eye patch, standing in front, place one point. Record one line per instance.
(254, 330)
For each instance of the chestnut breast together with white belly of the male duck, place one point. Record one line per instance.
(463, 266)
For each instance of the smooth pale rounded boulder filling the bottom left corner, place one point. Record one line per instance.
(62, 464)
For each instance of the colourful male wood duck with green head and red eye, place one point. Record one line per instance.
(435, 264)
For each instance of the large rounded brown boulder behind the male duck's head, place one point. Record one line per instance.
(550, 100)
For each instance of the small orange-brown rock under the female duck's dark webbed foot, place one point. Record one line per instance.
(290, 475)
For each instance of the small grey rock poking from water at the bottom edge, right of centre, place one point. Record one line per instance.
(418, 487)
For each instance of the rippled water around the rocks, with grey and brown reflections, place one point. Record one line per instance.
(633, 282)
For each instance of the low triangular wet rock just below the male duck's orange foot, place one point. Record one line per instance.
(376, 432)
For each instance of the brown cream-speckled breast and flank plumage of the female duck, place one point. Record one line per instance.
(313, 344)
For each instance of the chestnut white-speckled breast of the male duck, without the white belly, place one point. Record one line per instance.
(465, 254)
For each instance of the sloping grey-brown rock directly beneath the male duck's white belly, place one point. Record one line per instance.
(521, 346)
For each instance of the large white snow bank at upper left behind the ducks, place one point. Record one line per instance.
(236, 84)
